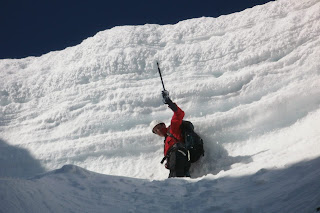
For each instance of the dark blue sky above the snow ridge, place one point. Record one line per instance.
(35, 27)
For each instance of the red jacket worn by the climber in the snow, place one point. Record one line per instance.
(174, 129)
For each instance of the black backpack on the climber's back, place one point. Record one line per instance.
(192, 141)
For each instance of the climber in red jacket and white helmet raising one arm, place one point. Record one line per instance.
(175, 153)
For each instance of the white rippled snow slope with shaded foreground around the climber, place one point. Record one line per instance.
(74, 124)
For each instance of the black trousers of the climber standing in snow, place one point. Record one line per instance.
(178, 163)
